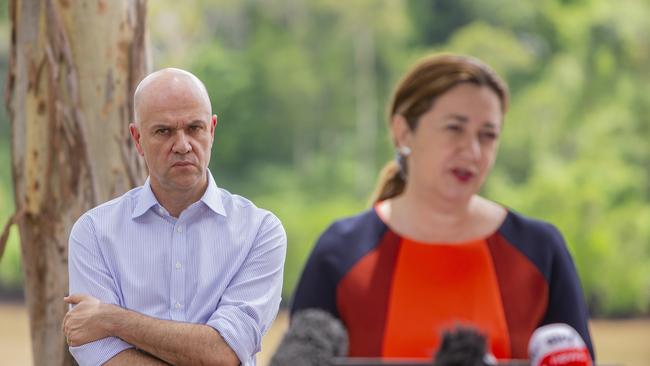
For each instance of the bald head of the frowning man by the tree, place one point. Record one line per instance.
(174, 130)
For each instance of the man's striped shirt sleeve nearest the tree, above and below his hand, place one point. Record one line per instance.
(89, 274)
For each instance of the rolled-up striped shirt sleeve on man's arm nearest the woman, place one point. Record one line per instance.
(251, 301)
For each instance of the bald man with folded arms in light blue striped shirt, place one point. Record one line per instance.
(177, 271)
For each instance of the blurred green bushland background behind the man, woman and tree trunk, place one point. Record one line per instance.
(301, 87)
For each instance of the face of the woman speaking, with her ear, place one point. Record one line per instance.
(454, 144)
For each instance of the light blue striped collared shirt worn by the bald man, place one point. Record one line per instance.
(219, 263)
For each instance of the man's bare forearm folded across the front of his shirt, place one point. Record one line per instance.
(174, 342)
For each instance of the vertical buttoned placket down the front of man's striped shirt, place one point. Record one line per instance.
(178, 262)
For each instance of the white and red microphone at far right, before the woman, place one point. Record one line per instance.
(557, 345)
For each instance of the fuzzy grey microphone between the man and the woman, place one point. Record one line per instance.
(313, 339)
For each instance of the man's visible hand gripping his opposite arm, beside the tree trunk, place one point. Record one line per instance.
(83, 323)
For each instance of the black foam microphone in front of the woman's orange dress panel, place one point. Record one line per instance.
(463, 346)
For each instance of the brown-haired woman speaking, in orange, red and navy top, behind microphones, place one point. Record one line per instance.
(431, 253)
